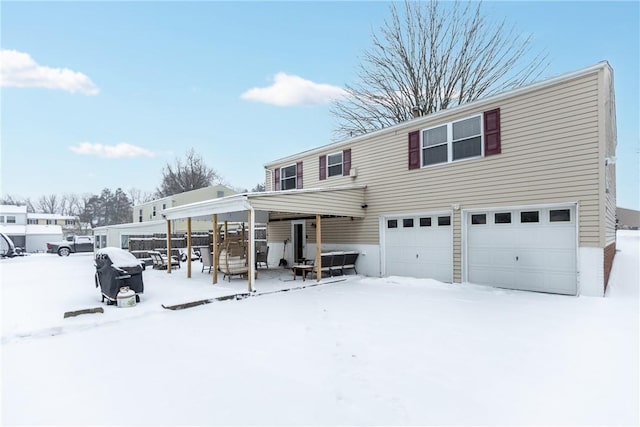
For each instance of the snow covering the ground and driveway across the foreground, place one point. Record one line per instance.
(360, 351)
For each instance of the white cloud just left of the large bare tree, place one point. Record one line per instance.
(288, 90)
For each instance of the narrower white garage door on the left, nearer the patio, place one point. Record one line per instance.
(419, 246)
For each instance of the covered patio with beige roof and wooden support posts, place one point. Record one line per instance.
(254, 208)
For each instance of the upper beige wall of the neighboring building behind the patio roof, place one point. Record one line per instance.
(187, 197)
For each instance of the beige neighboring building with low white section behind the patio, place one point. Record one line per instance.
(148, 218)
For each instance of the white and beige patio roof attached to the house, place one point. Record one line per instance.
(344, 201)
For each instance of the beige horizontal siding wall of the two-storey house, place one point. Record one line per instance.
(554, 137)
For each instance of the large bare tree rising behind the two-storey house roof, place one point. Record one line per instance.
(431, 58)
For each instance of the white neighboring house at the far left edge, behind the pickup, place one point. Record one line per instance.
(26, 233)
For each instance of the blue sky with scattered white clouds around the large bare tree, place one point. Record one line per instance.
(125, 87)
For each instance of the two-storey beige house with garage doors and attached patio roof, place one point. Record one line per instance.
(516, 190)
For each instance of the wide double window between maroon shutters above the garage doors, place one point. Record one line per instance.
(452, 141)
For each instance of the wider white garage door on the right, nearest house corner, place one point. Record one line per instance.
(526, 249)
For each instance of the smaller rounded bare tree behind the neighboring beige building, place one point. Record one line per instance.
(187, 175)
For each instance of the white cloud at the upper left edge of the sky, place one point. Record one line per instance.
(18, 69)
